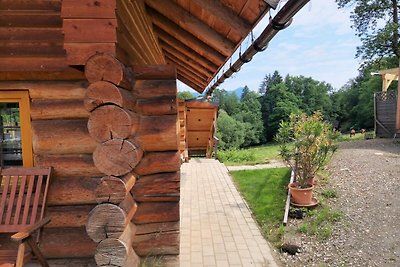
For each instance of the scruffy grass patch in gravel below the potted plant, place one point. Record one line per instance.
(319, 222)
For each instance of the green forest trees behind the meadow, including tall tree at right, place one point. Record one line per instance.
(254, 117)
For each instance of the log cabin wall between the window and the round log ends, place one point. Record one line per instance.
(61, 139)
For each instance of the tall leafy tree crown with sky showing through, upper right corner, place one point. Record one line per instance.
(377, 24)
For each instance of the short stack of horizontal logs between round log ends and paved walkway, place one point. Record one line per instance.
(157, 189)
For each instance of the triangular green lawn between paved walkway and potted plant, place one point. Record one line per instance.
(265, 191)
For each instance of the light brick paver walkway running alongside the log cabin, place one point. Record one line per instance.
(217, 228)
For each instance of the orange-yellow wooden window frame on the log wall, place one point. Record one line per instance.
(23, 100)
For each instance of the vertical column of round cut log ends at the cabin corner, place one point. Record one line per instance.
(113, 124)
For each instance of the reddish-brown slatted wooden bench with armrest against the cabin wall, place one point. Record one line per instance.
(22, 207)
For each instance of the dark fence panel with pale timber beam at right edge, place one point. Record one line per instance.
(387, 106)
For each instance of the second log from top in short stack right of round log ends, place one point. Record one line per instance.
(154, 88)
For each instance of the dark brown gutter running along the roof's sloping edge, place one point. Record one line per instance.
(281, 20)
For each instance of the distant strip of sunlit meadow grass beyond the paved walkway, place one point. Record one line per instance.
(249, 156)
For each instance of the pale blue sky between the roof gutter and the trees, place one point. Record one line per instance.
(320, 44)
